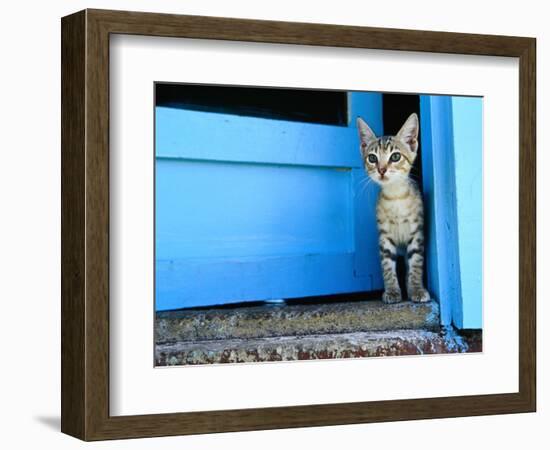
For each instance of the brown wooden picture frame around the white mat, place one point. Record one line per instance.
(85, 224)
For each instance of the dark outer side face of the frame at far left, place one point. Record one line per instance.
(73, 259)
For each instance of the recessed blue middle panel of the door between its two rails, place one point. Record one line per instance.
(214, 209)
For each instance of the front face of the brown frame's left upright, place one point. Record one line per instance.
(96, 308)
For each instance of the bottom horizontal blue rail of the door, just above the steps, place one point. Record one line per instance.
(211, 281)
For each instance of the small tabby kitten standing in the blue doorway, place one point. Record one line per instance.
(399, 210)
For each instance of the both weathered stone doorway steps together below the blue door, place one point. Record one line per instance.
(304, 332)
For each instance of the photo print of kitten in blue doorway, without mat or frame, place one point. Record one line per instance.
(300, 224)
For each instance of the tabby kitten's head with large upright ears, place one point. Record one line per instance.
(389, 159)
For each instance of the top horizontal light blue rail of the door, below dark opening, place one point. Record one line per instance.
(185, 134)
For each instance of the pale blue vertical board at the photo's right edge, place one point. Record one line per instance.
(468, 151)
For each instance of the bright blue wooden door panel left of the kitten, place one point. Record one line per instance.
(252, 209)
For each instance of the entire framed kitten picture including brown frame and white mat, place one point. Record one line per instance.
(315, 224)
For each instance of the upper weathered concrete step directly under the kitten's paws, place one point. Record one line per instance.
(293, 320)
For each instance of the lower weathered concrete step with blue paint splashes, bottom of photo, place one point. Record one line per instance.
(327, 346)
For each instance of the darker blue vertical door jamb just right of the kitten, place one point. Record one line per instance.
(442, 259)
